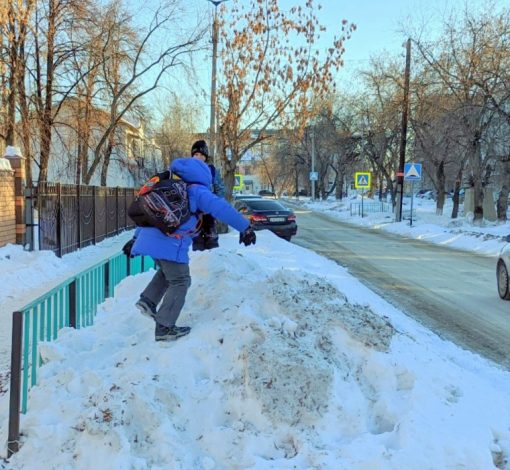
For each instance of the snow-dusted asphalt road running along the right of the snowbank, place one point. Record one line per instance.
(452, 292)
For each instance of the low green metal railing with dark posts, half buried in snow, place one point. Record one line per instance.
(71, 304)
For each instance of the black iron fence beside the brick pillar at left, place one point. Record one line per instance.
(73, 216)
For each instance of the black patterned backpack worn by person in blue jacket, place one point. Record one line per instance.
(162, 203)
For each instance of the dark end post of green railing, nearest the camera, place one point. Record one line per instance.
(15, 392)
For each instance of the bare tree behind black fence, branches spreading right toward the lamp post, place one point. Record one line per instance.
(134, 65)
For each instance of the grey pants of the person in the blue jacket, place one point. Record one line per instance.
(170, 283)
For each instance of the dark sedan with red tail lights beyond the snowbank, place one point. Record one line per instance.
(270, 215)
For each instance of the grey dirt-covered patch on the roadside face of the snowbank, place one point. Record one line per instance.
(290, 368)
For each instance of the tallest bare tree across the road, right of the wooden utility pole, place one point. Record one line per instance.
(471, 49)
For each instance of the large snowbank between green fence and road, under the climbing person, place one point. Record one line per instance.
(291, 363)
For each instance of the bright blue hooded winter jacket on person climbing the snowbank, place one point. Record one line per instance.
(152, 242)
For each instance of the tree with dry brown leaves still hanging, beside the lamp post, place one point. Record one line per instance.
(266, 80)
